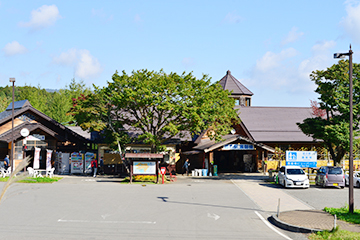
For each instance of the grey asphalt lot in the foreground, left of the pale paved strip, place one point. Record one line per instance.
(79, 207)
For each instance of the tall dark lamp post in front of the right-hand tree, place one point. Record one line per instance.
(351, 162)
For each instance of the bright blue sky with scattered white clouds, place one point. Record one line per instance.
(271, 47)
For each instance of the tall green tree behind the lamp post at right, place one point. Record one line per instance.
(333, 126)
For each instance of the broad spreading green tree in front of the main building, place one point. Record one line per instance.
(157, 106)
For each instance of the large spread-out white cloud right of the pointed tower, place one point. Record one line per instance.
(284, 72)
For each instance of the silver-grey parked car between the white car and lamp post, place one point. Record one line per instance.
(328, 176)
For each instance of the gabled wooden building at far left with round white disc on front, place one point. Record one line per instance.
(41, 131)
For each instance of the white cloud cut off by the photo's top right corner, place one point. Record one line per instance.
(351, 23)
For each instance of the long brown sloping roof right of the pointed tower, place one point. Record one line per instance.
(275, 124)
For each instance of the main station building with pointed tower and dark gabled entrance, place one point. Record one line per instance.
(254, 140)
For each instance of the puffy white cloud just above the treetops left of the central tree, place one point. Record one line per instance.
(85, 65)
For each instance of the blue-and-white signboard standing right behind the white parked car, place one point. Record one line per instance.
(301, 158)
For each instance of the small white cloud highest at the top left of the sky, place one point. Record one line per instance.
(42, 17)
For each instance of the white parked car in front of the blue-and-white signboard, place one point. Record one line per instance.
(293, 177)
